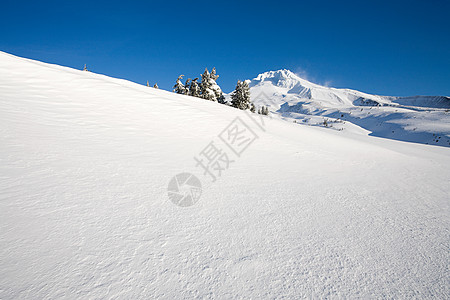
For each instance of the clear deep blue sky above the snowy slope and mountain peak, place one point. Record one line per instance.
(379, 47)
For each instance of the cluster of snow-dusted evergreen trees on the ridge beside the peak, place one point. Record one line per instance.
(208, 89)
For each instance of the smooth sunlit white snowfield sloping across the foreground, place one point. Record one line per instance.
(304, 212)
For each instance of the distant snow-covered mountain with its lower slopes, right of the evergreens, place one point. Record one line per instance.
(421, 119)
